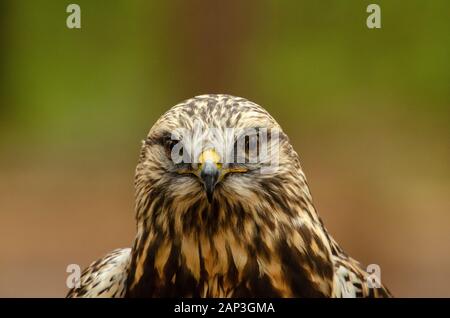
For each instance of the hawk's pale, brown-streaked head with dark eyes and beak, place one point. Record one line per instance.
(213, 154)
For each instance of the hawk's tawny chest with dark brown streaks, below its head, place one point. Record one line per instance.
(222, 266)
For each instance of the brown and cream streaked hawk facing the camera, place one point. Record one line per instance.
(210, 227)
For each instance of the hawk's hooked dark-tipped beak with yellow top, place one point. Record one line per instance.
(210, 170)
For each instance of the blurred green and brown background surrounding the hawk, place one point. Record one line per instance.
(367, 110)
